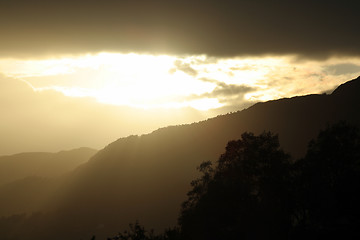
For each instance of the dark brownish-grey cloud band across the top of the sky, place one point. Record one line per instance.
(217, 28)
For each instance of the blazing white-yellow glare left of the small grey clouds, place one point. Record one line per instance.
(142, 81)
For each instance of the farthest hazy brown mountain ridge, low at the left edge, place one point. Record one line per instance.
(41, 164)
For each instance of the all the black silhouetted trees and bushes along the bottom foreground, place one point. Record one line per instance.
(255, 191)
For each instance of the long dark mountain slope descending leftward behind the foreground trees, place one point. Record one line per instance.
(146, 177)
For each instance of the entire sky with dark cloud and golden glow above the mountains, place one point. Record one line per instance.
(84, 73)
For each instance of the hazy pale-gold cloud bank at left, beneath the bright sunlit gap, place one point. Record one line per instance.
(49, 121)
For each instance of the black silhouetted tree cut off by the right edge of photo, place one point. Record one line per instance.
(329, 185)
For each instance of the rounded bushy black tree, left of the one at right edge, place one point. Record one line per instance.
(246, 195)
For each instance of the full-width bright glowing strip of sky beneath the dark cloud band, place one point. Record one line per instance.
(164, 81)
